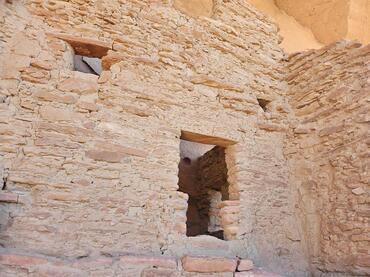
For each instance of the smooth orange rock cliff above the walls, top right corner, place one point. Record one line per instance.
(311, 24)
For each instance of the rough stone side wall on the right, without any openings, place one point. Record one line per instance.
(328, 154)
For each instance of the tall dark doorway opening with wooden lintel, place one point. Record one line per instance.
(203, 175)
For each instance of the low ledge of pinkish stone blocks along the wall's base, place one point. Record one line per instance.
(14, 262)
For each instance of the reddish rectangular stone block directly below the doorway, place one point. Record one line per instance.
(208, 264)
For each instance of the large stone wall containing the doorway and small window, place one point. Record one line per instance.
(93, 161)
